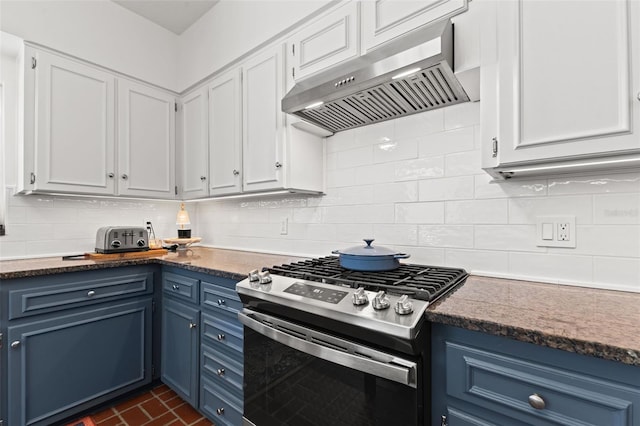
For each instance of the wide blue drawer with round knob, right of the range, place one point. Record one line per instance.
(506, 385)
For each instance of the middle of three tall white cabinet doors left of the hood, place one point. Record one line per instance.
(225, 134)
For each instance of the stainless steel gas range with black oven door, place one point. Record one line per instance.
(325, 345)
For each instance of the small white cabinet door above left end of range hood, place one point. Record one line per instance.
(332, 39)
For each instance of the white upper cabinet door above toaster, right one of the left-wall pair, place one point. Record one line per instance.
(146, 145)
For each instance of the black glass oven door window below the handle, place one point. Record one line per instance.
(286, 386)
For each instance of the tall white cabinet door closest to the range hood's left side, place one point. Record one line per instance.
(263, 120)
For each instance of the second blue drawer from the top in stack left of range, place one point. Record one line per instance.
(220, 332)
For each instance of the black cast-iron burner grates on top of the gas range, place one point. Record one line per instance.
(419, 281)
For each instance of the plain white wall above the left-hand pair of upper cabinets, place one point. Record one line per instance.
(98, 31)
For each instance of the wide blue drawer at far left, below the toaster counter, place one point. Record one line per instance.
(76, 291)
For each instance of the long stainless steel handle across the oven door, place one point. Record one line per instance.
(331, 348)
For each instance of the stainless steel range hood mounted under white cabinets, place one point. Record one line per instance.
(407, 76)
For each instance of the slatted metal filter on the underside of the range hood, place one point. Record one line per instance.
(435, 87)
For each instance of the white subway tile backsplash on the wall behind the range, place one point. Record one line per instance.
(415, 184)
